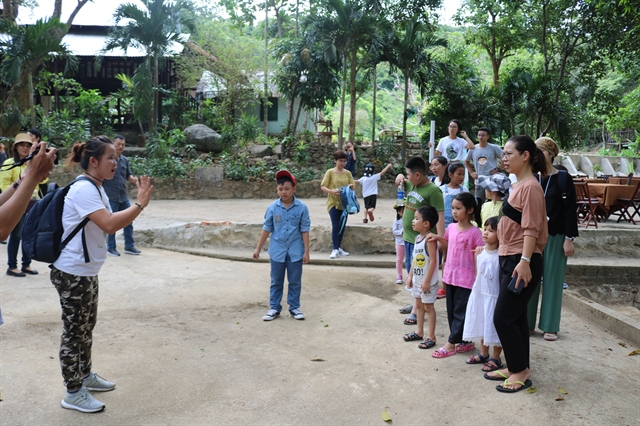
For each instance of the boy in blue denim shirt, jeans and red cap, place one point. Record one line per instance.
(287, 219)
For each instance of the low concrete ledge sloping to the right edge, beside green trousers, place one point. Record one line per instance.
(619, 324)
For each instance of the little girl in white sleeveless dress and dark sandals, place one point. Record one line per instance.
(478, 323)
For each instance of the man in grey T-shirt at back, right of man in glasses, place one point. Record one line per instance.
(486, 157)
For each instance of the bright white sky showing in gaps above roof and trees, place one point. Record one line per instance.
(100, 12)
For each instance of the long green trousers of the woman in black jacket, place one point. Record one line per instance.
(555, 266)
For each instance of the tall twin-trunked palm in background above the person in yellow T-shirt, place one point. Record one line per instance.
(350, 30)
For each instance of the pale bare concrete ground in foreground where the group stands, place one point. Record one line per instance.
(183, 338)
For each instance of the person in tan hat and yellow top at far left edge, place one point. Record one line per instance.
(21, 147)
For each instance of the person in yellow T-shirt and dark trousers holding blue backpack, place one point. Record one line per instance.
(333, 180)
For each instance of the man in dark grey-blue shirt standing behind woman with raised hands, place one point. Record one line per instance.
(116, 190)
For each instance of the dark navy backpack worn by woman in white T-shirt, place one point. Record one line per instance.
(42, 230)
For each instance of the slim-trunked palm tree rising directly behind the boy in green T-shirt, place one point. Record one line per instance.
(408, 53)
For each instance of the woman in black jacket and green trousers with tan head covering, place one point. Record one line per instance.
(560, 197)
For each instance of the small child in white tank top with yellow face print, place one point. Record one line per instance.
(423, 277)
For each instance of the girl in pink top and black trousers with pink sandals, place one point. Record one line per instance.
(460, 240)
